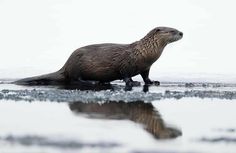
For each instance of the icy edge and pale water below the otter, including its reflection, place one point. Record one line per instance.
(173, 117)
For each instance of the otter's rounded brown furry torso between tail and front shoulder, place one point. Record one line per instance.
(99, 62)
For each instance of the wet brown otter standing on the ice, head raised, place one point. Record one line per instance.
(108, 62)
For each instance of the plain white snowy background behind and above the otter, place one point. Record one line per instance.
(37, 37)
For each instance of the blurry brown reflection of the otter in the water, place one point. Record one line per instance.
(139, 112)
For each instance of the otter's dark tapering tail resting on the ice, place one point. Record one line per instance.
(47, 79)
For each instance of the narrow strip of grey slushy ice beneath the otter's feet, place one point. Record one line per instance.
(116, 92)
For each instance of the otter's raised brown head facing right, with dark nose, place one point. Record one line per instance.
(165, 35)
